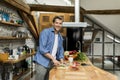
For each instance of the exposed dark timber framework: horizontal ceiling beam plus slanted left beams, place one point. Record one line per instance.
(26, 10)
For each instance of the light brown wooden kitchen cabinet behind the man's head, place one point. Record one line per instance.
(46, 21)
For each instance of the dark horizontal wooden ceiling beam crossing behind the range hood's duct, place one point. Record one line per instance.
(70, 9)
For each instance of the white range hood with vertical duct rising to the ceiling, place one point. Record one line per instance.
(77, 23)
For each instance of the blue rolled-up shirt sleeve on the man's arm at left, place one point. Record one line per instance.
(43, 38)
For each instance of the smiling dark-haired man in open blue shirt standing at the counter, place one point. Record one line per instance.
(50, 51)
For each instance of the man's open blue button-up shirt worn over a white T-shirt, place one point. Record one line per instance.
(46, 42)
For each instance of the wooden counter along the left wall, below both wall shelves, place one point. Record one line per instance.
(12, 61)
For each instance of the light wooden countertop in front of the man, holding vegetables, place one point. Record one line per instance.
(88, 72)
